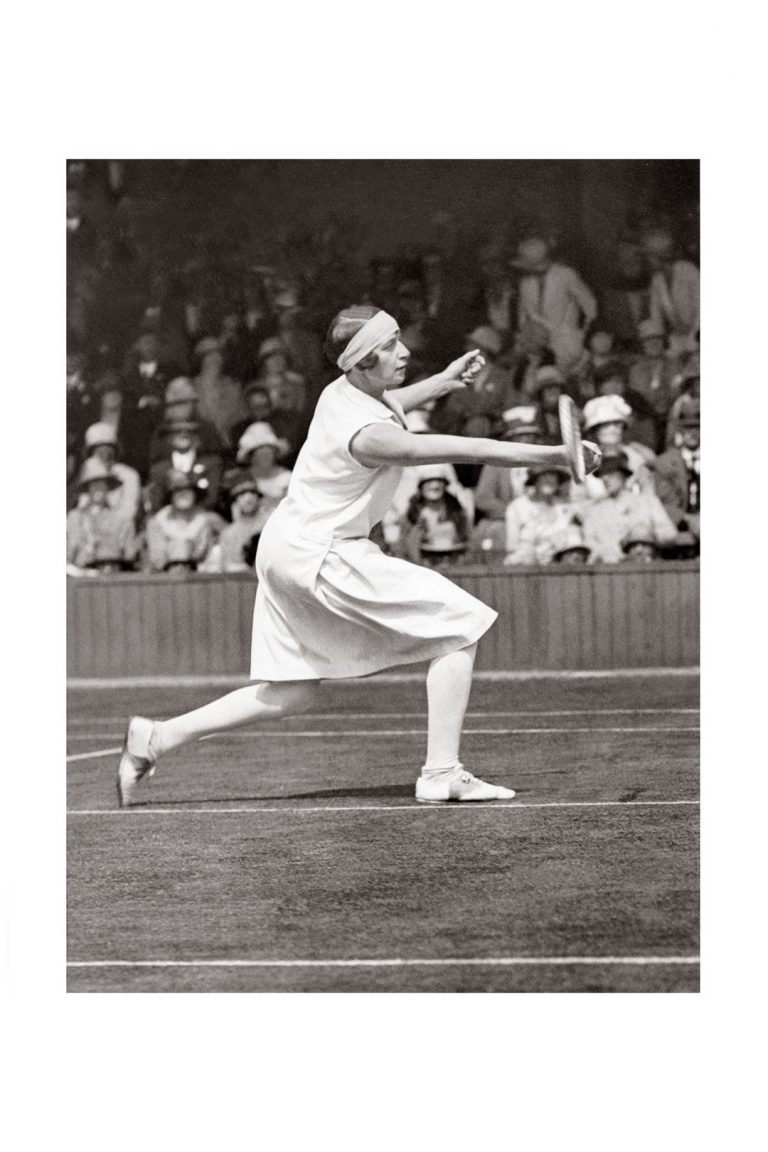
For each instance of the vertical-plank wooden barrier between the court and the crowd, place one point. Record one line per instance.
(623, 617)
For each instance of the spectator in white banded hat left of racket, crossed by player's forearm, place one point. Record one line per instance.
(499, 486)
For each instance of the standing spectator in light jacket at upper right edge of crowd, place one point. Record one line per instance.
(674, 291)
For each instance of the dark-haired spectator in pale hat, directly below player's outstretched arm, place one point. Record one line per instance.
(436, 529)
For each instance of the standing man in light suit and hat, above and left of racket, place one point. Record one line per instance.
(556, 297)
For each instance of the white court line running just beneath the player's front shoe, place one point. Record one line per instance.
(381, 808)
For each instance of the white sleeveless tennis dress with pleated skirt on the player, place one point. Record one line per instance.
(330, 603)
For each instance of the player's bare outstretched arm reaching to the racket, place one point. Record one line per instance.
(385, 444)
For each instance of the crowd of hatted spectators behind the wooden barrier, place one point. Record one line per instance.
(195, 360)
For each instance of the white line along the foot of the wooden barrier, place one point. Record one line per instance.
(386, 678)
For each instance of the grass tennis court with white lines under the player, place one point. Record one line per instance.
(295, 859)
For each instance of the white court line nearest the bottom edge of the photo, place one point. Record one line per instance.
(396, 962)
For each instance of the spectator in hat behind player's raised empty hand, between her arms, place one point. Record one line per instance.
(476, 410)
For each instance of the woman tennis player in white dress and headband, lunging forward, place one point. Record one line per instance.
(330, 604)
